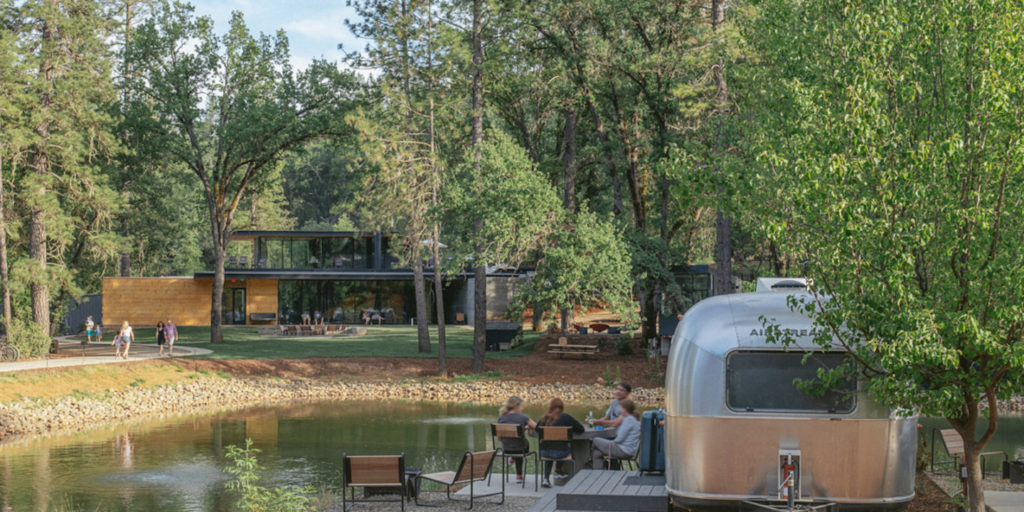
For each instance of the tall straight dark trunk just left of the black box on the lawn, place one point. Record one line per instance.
(481, 270)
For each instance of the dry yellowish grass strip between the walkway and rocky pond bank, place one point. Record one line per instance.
(90, 381)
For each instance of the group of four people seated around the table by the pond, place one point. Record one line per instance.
(622, 415)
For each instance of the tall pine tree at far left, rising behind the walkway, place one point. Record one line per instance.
(67, 199)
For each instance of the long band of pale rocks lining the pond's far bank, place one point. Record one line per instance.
(74, 414)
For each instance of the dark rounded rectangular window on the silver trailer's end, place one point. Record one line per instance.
(765, 381)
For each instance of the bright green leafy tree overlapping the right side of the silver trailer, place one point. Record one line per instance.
(892, 166)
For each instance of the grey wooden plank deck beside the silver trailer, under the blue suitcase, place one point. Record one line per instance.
(607, 491)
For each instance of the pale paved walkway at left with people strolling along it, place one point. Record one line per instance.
(74, 354)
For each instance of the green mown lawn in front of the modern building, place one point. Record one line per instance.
(387, 342)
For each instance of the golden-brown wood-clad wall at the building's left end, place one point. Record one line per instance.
(145, 302)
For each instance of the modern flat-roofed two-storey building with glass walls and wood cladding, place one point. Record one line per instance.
(345, 276)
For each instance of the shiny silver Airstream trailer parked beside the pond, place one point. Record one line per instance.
(740, 436)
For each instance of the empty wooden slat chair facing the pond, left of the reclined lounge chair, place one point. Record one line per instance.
(373, 472)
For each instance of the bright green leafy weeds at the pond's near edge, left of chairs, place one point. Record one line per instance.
(246, 474)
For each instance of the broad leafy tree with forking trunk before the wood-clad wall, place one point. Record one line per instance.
(229, 108)
